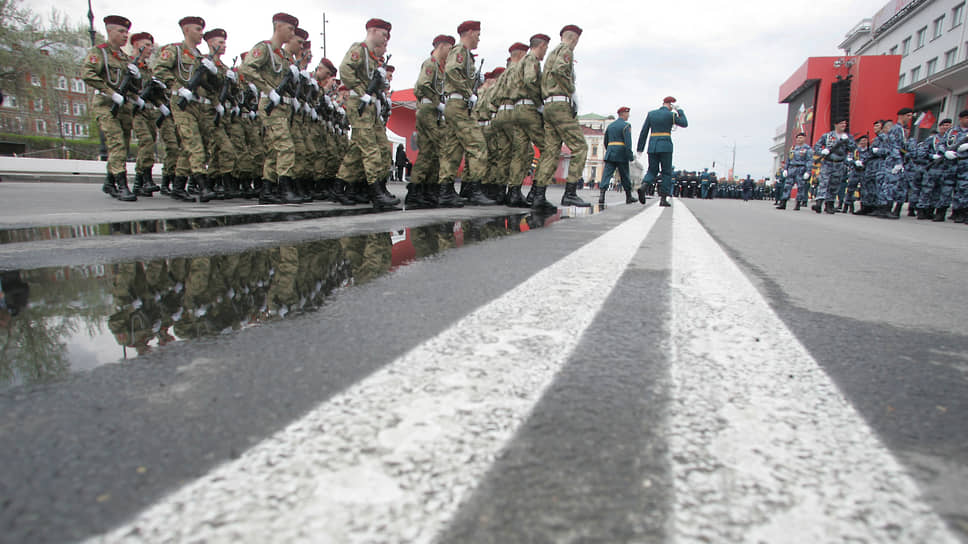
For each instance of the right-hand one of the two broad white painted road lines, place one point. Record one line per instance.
(763, 446)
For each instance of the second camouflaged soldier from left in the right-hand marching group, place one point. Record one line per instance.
(463, 135)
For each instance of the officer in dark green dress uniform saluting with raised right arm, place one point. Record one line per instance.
(660, 123)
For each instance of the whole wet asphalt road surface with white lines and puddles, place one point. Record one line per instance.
(711, 372)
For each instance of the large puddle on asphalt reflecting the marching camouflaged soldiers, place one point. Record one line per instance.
(55, 321)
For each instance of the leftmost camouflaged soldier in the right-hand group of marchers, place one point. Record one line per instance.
(423, 189)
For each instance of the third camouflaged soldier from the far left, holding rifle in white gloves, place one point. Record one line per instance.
(177, 66)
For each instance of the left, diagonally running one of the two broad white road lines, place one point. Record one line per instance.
(389, 459)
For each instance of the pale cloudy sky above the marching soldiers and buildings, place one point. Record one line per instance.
(723, 61)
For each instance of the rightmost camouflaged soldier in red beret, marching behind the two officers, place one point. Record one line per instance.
(561, 124)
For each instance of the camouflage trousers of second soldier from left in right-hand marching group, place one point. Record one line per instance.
(467, 140)
